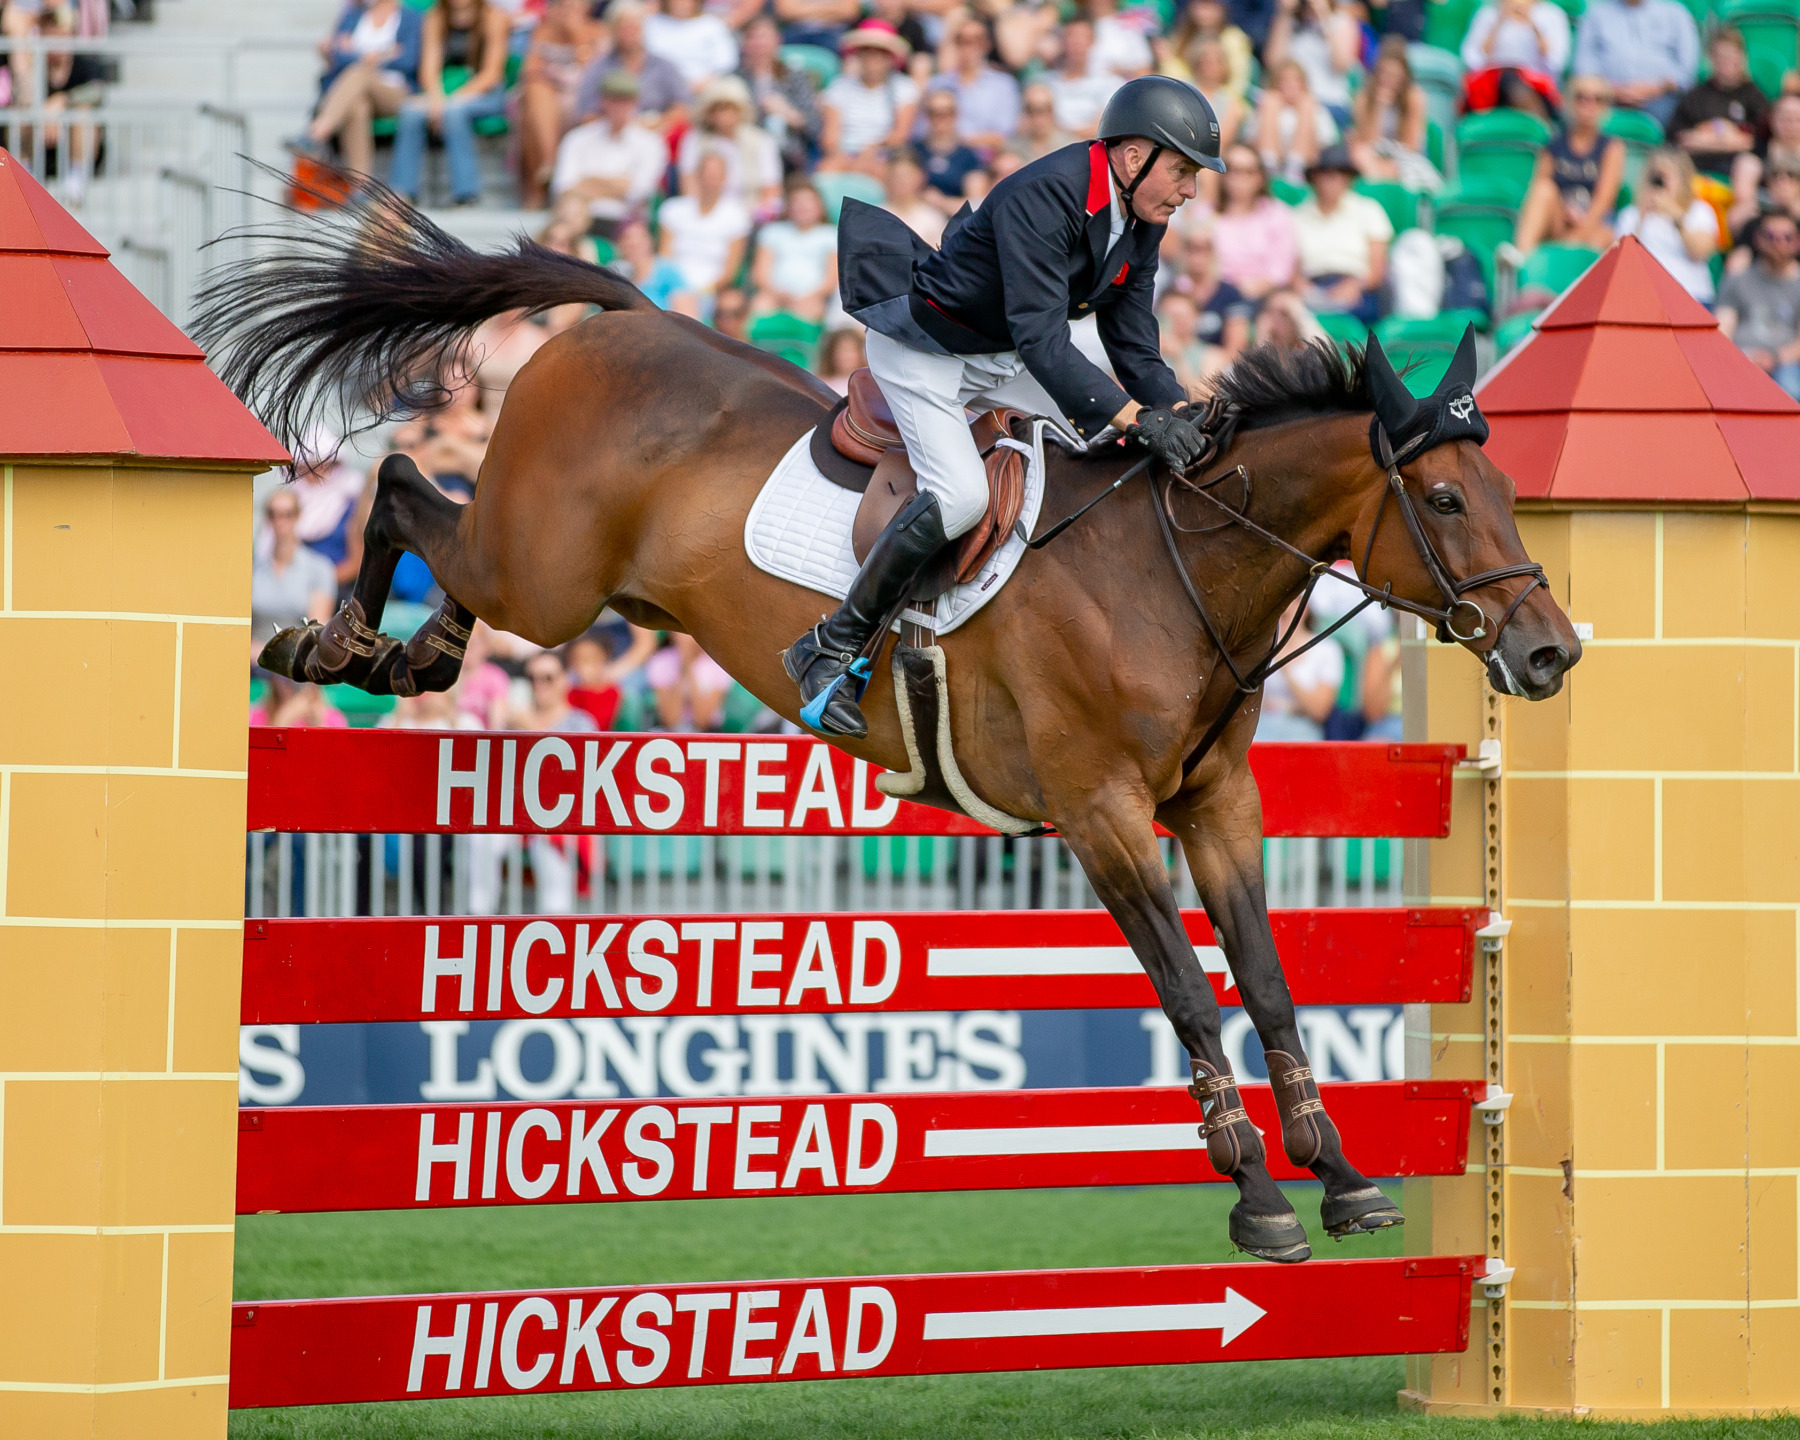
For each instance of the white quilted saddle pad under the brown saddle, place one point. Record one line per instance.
(800, 530)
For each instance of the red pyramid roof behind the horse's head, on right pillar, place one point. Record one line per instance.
(1628, 391)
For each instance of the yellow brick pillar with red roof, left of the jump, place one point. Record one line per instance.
(125, 503)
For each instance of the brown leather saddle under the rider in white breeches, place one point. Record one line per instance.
(863, 433)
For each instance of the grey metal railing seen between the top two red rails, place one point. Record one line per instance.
(321, 876)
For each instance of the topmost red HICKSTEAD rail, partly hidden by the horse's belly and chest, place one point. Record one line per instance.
(454, 782)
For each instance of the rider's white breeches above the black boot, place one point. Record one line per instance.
(928, 395)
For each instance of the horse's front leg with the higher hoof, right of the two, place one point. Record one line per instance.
(1221, 832)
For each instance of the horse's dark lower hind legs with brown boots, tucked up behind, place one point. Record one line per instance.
(409, 514)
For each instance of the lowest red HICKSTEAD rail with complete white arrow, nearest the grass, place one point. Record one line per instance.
(294, 1353)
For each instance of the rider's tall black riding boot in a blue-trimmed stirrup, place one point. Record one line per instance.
(827, 663)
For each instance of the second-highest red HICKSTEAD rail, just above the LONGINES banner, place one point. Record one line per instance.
(435, 967)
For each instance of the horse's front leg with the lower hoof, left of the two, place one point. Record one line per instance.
(1111, 836)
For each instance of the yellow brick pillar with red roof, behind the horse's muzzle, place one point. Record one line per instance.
(1642, 836)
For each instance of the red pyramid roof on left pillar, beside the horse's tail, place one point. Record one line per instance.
(87, 364)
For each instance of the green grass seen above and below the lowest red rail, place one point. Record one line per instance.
(467, 1250)
